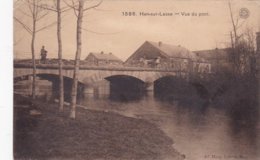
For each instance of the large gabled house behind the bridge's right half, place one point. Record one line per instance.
(162, 55)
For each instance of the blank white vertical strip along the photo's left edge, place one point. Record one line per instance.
(6, 80)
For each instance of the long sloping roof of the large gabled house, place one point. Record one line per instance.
(173, 51)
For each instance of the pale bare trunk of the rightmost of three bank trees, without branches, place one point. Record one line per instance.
(77, 60)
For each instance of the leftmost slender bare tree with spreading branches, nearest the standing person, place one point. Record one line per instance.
(36, 13)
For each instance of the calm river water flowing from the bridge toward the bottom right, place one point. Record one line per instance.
(200, 133)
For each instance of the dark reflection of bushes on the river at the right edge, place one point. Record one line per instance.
(244, 123)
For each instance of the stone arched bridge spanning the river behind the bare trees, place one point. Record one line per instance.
(122, 79)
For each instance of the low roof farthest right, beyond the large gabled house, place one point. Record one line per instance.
(213, 53)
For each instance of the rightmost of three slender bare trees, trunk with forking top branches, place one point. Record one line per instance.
(79, 12)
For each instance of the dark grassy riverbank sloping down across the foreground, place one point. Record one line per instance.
(41, 132)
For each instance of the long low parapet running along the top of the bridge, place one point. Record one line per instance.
(84, 65)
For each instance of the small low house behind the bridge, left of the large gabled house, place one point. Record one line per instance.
(102, 59)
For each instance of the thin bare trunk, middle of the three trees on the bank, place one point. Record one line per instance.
(61, 87)
